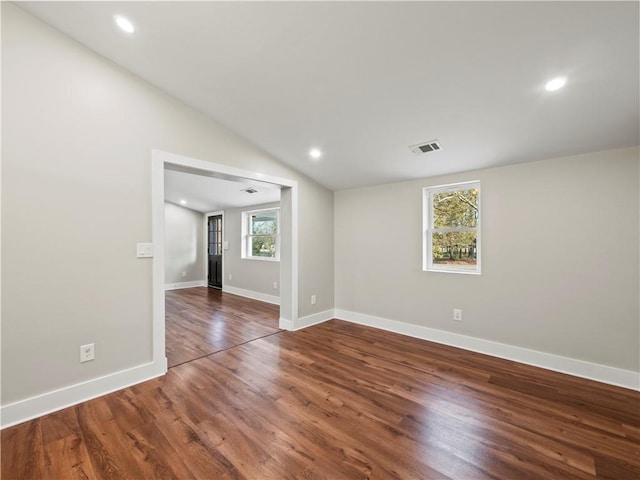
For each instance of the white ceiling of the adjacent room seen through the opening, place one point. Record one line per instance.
(208, 194)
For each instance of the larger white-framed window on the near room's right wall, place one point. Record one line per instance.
(452, 228)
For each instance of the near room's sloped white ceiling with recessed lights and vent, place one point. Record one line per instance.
(365, 80)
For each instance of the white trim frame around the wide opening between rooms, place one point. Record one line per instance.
(161, 160)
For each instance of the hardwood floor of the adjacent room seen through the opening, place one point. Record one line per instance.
(201, 321)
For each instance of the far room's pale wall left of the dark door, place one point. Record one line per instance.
(183, 243)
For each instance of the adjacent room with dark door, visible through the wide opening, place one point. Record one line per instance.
(222, 252)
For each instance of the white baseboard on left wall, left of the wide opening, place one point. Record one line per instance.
(49, 402)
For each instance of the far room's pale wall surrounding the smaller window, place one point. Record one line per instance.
(248, 274)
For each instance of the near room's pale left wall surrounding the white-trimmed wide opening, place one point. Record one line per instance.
(77, 136)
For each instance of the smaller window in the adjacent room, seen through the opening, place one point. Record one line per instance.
(260, 234)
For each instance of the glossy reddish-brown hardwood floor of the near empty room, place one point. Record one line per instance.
(339, 401)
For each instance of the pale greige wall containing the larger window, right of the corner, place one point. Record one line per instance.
(559, 258)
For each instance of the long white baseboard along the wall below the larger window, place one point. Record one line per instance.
(579, 368)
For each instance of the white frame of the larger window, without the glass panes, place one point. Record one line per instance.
(428, 229)
